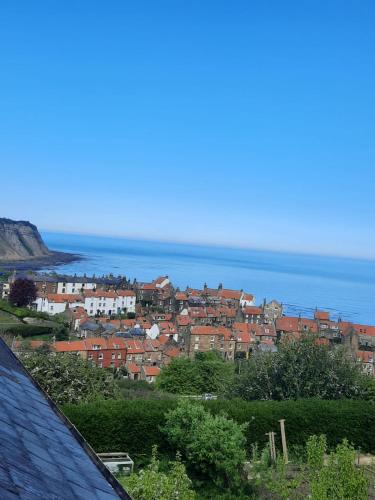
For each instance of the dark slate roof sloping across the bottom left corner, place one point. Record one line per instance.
(42, 456)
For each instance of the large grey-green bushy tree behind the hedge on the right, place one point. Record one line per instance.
(300, 369)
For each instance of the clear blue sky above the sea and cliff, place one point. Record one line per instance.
(246, 123)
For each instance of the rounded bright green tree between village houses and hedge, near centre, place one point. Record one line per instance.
(207, 373)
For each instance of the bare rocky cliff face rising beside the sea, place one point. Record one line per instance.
(20, 240)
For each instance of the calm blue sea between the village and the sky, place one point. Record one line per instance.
(343, 286)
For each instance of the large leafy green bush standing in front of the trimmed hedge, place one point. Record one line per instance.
(212, 445)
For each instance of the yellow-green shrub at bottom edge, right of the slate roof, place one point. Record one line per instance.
(154, 484)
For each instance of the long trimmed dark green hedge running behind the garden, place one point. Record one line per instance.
(133, 426)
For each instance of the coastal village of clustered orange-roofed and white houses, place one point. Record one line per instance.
(140, 327)
